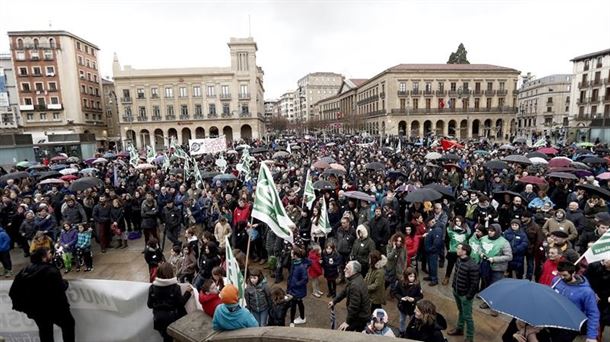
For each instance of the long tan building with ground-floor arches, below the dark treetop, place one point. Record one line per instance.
(459, 100)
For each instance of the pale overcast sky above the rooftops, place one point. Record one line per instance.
(355, 38)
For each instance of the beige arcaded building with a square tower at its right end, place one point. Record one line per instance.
(187, 103)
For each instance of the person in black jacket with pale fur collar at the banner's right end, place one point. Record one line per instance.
(166, 300)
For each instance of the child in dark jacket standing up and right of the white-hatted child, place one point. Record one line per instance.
(407, 291)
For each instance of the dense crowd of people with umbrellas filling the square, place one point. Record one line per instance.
(487, 215)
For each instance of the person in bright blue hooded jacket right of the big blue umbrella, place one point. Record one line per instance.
(577, 289)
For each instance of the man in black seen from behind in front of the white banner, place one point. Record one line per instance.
(49, 307)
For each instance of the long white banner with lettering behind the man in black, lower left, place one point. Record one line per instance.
(104, 310)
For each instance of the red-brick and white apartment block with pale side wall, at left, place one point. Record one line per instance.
(58, 83)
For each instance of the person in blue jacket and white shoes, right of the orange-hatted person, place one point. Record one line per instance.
(297, 284)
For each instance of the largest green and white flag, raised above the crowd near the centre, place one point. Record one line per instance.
(268, 206)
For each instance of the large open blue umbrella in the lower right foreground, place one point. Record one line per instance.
(535, 304)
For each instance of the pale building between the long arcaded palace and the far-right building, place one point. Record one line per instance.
(544, 106)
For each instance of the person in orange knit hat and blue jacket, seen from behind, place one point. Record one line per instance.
(229, 315)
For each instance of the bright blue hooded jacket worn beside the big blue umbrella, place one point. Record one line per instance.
(581, 294)
